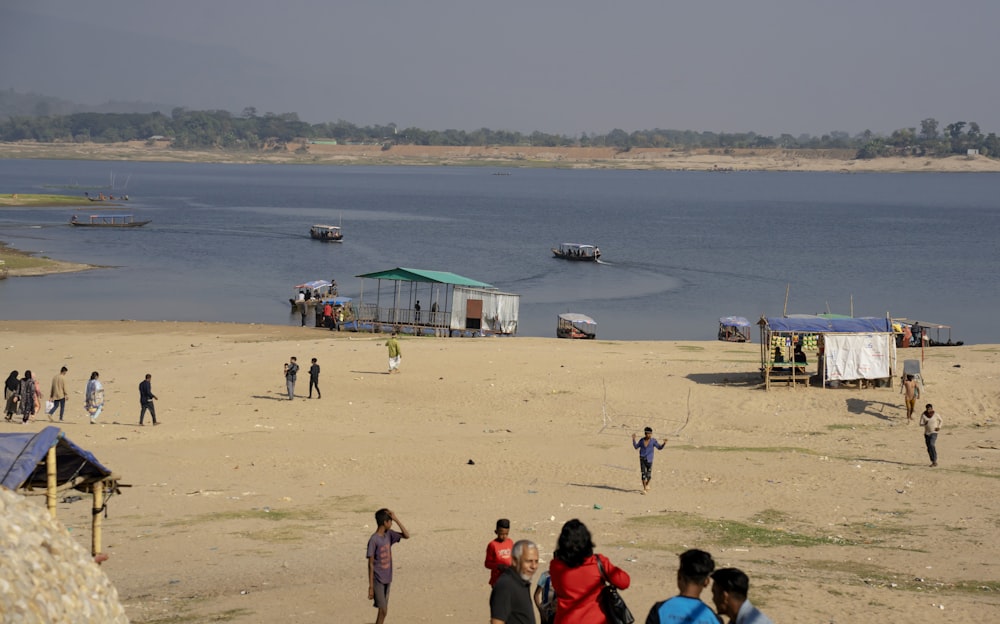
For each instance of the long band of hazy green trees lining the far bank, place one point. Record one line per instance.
(190, 129)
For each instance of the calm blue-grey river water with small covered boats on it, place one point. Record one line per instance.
(227, 242)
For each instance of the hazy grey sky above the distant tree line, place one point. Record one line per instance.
(561, 66)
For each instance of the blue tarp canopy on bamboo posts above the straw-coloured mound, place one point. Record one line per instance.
(22, 461)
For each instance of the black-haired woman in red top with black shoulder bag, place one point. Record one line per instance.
(576, 578)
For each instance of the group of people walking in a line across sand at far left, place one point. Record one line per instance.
(23, 397)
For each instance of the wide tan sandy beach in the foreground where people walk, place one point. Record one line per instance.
(247, 507)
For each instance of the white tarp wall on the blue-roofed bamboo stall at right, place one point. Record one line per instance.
(859, 356)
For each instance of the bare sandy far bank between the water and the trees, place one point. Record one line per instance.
(514, 157)
